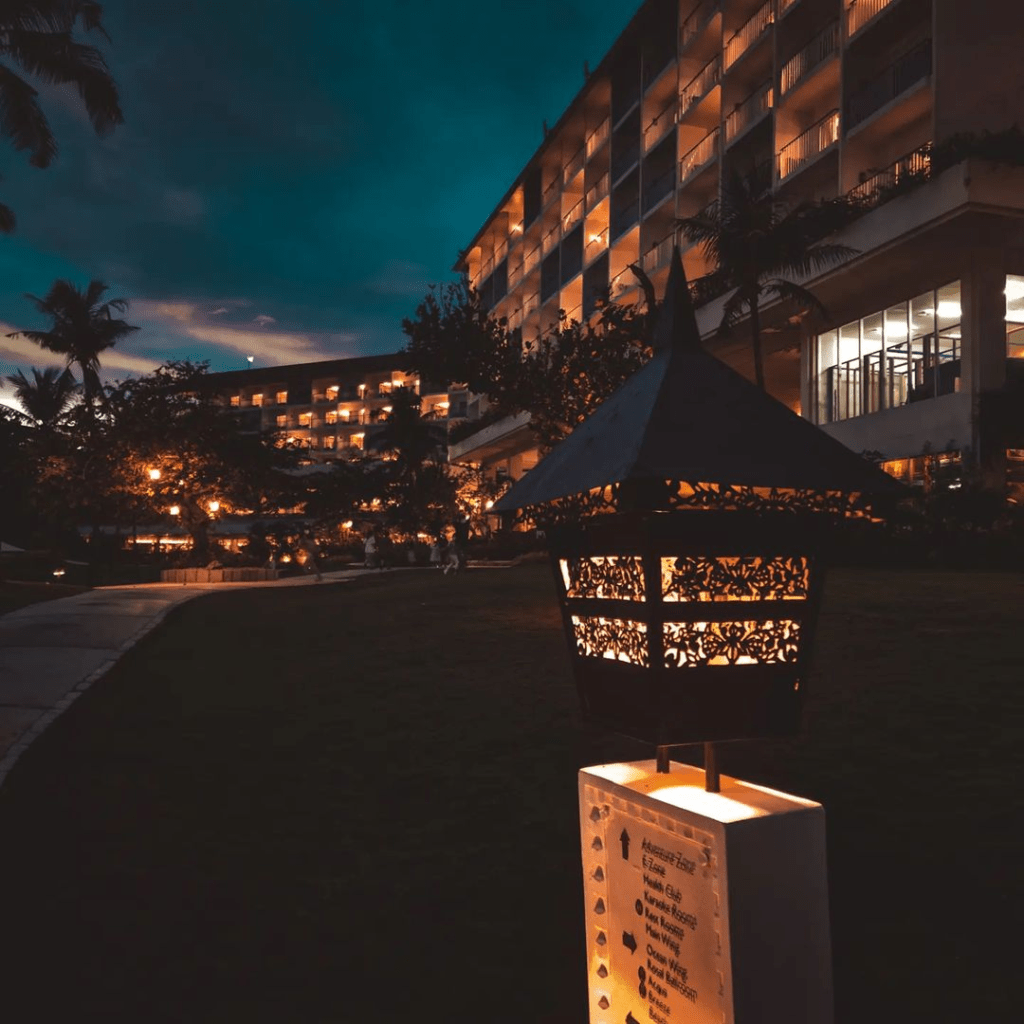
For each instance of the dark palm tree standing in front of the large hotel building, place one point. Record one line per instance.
(756, 243)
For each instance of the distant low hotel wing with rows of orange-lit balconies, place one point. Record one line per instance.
(328, 409)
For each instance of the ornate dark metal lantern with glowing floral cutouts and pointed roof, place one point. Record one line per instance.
(691, 609)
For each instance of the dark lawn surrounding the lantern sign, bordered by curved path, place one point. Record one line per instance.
(358, 802)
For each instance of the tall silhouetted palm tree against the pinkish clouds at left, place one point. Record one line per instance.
(82, 329)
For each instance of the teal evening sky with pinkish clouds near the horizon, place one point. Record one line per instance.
(291, 176)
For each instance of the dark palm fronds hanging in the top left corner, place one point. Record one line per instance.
(37, 36)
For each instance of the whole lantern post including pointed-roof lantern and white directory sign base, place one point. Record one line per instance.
(686, 520)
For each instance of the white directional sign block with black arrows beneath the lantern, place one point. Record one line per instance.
(703, 908)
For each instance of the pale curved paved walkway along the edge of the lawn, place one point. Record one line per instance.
(53, 652)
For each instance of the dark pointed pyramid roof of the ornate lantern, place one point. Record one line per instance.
(687, 416)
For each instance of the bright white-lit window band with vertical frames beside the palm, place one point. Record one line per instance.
(906, 354)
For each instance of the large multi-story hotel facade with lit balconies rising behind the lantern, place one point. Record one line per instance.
(814, 100)
